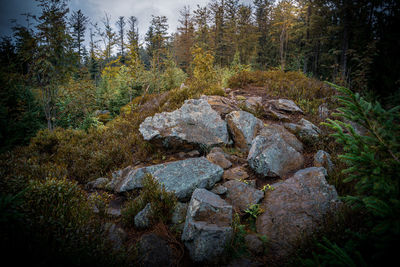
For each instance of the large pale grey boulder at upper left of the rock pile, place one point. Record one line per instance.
(194, 125)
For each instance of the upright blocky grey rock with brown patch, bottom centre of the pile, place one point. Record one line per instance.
(207, 228)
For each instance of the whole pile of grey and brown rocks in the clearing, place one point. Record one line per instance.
(210, 189)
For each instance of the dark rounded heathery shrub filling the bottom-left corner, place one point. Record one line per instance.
(57, 225)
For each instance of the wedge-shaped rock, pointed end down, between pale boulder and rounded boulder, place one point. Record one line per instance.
(244, 127)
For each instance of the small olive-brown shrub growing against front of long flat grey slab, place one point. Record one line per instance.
(162, 202)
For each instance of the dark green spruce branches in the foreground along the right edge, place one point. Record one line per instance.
(372, 167)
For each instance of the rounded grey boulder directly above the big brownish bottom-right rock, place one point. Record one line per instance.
(275, 152)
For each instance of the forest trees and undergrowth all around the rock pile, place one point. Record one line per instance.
(75, 91)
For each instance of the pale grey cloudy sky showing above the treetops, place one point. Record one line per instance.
(94, 9)
